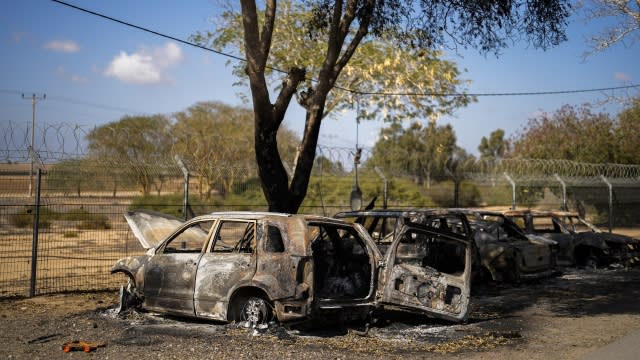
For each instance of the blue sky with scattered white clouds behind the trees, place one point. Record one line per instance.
(94, 71)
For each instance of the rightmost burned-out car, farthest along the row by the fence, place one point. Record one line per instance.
(580, 243)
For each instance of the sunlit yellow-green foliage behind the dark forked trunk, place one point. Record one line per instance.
(379, 65)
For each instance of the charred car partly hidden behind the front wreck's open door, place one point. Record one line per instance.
(501, 251)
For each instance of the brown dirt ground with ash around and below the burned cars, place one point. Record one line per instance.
(563, 317)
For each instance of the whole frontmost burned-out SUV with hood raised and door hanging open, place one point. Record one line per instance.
(255, 267)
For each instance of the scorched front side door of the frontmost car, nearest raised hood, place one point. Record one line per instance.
(170, 274)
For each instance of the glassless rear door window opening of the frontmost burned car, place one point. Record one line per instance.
(235, 236)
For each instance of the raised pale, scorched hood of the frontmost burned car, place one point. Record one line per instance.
(151, 227)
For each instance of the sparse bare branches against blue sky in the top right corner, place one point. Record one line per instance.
(625, 27)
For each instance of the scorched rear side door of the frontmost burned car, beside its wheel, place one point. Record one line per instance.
(230, 262)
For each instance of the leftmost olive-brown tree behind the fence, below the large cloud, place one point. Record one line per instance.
(137, 141)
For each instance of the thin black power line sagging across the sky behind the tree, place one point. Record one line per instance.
(356, 92)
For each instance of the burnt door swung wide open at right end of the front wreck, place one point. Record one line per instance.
(428, 271)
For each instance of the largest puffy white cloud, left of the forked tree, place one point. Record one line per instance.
(145, 66)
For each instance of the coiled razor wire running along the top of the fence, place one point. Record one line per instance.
(57, 142)
